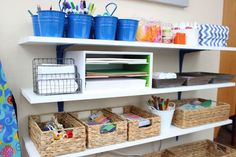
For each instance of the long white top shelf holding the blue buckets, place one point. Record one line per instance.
(33, 40)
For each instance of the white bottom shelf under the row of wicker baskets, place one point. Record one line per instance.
(174, 131)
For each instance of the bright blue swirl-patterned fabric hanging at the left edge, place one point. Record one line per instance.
(9, 141)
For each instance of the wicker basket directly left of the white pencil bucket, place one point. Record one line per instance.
(134, 131)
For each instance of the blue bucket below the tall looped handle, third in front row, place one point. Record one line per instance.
(105, 27)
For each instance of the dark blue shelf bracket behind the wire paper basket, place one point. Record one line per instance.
(60, 54)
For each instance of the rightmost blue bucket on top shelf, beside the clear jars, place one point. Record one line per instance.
(127, 29)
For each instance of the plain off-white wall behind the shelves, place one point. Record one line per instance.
(16, 59)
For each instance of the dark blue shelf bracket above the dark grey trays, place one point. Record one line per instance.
(182, 53)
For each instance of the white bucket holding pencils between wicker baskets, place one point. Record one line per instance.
(166, 118)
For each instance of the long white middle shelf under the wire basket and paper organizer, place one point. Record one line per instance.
(100, 94)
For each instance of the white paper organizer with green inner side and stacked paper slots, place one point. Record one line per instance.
(107, 70)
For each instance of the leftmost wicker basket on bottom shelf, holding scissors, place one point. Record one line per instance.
(45, 142)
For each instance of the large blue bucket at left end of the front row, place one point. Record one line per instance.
(51, 23)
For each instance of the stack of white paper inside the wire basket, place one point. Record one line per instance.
(56, 79)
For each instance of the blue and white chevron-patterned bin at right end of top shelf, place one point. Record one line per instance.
(213, 35)
